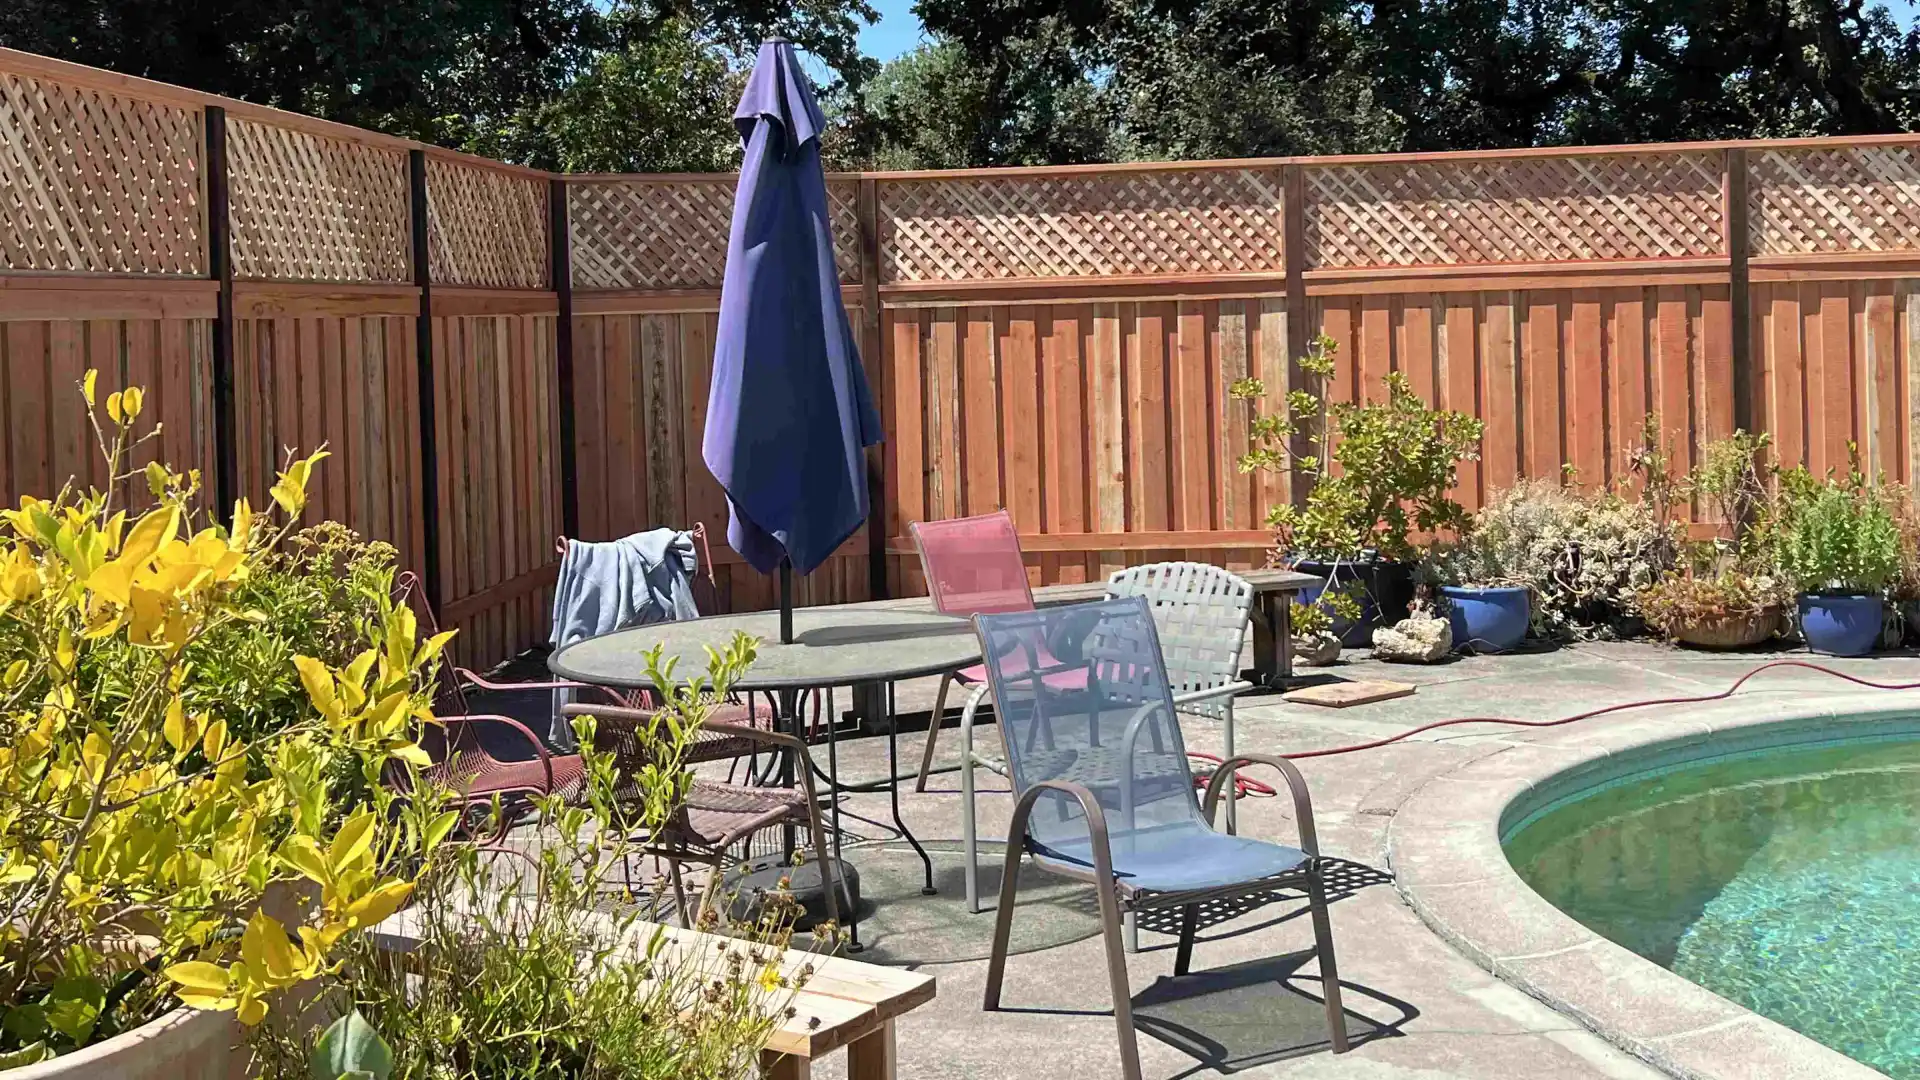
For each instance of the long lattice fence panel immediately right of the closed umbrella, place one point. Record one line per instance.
(1084, 226)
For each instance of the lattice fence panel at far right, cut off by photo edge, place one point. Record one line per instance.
(1846, 199)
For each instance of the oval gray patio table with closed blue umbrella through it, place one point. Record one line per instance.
(832, 647)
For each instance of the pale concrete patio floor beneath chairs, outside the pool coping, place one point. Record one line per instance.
(1418, 1008)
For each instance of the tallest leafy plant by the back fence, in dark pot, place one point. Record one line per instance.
(1380, 474)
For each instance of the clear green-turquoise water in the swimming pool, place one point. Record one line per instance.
(1787, 881)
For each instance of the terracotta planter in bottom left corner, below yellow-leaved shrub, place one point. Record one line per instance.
(187, 1044)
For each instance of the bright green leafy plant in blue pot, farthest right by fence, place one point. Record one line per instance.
(1840, 549)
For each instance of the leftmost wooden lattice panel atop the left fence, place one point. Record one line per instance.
(99, 184)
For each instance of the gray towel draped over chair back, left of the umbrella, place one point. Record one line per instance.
(625, 583)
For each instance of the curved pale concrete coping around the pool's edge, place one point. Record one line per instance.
(1449, 866)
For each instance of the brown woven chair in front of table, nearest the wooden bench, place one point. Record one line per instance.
(717, 816)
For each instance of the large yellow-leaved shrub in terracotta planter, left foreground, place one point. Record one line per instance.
(160, 850)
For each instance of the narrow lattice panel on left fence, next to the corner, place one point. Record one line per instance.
(485, 228)
